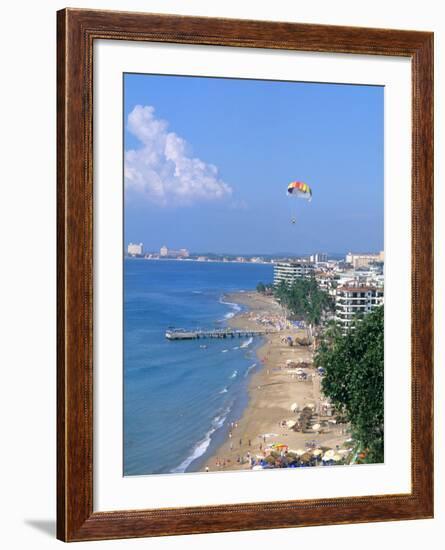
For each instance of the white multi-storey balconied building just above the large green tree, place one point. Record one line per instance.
(353, 299)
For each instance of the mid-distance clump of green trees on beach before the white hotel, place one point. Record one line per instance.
(304, 299)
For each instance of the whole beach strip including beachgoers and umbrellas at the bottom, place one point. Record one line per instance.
(288, 423)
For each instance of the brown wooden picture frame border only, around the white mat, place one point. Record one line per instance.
(77, 31)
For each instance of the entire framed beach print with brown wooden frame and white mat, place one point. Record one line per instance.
(245, 228)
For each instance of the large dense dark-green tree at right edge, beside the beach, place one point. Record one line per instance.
(354, 366)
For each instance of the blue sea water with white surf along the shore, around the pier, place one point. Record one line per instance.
(180, 398)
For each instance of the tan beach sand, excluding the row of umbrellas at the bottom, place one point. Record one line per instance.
(275, 390)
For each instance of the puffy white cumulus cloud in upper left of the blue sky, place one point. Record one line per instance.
(162, 168)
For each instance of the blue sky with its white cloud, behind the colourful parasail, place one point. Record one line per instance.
(208, 161)
